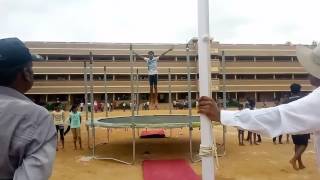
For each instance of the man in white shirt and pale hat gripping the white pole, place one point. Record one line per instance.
(298, 117)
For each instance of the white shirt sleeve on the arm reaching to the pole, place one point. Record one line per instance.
(300, 116)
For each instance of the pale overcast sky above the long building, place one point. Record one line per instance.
(160, 21)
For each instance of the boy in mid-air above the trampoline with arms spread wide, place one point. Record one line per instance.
(152, 62)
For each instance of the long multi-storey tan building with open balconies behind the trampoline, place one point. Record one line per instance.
(263, 71)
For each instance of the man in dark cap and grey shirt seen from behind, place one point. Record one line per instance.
(27, 133)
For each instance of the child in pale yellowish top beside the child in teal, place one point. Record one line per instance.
(59, 119)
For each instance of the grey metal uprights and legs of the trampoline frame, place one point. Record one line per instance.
(92, 123)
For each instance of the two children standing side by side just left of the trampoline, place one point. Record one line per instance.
(73, 122)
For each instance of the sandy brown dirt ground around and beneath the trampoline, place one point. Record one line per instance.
(250, 162)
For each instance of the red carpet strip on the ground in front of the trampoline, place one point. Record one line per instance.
(168, 170)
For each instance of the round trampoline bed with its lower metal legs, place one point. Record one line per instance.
(150, 121)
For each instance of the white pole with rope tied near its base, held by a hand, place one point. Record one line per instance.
(205, 88)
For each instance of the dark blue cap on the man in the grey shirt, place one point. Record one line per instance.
(13, 53)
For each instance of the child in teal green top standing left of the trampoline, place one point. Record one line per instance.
(75, 124)
